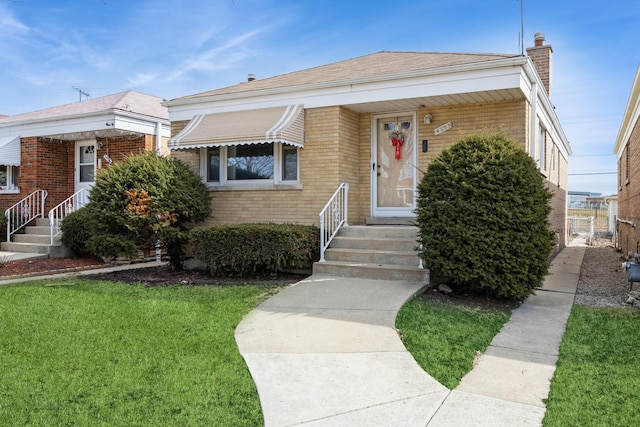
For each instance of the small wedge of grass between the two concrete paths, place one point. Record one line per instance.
(444, 338)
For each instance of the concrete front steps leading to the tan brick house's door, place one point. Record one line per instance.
(383, 252)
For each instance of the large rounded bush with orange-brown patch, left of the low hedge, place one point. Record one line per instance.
(143, 200)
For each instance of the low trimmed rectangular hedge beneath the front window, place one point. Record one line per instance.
(256, 247)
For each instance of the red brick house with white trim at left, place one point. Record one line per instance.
(59, 149)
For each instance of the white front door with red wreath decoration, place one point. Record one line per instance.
(394, 170)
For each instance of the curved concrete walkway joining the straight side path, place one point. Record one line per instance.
(325, 352)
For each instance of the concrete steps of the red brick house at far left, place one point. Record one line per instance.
(36, 239)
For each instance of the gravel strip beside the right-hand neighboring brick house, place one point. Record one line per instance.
(603, 282)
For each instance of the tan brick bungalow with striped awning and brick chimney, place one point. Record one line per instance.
(276, 149)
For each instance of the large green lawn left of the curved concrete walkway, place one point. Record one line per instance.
(84, 352)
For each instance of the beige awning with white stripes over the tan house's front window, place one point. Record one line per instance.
(267, 125)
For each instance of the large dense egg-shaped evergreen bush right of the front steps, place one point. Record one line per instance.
(482, 213)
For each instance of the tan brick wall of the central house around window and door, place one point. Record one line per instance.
(338, 149)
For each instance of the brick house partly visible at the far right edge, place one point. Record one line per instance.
(627, 149)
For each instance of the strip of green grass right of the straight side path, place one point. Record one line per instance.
(597, 377)
